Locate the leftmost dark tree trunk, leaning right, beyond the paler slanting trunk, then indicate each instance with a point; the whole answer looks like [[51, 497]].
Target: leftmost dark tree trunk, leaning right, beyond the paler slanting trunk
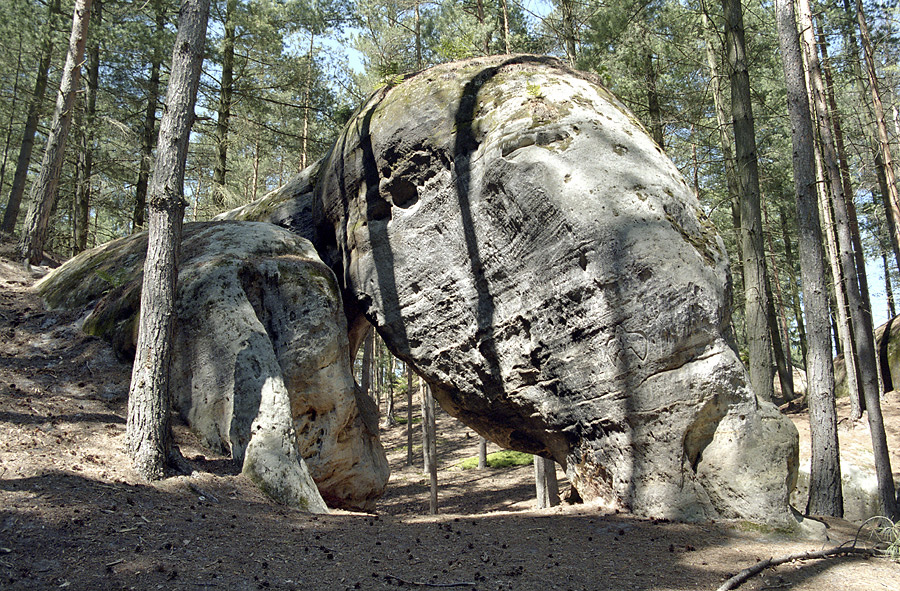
[[31, 122]]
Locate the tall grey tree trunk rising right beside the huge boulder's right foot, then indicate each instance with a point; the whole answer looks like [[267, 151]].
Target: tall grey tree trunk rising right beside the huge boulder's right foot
[[825, 495]]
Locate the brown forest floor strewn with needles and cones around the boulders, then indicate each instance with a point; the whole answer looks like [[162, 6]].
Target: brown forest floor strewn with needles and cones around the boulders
[[73, 514]]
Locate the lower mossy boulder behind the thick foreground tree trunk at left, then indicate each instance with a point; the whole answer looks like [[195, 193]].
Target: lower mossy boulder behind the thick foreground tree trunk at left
[[261, 366]]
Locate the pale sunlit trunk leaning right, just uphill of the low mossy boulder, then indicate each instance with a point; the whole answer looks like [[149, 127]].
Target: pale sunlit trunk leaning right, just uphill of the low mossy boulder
[[43, 199]]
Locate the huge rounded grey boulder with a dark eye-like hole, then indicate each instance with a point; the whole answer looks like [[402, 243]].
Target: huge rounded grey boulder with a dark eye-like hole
[[517, 237]]
